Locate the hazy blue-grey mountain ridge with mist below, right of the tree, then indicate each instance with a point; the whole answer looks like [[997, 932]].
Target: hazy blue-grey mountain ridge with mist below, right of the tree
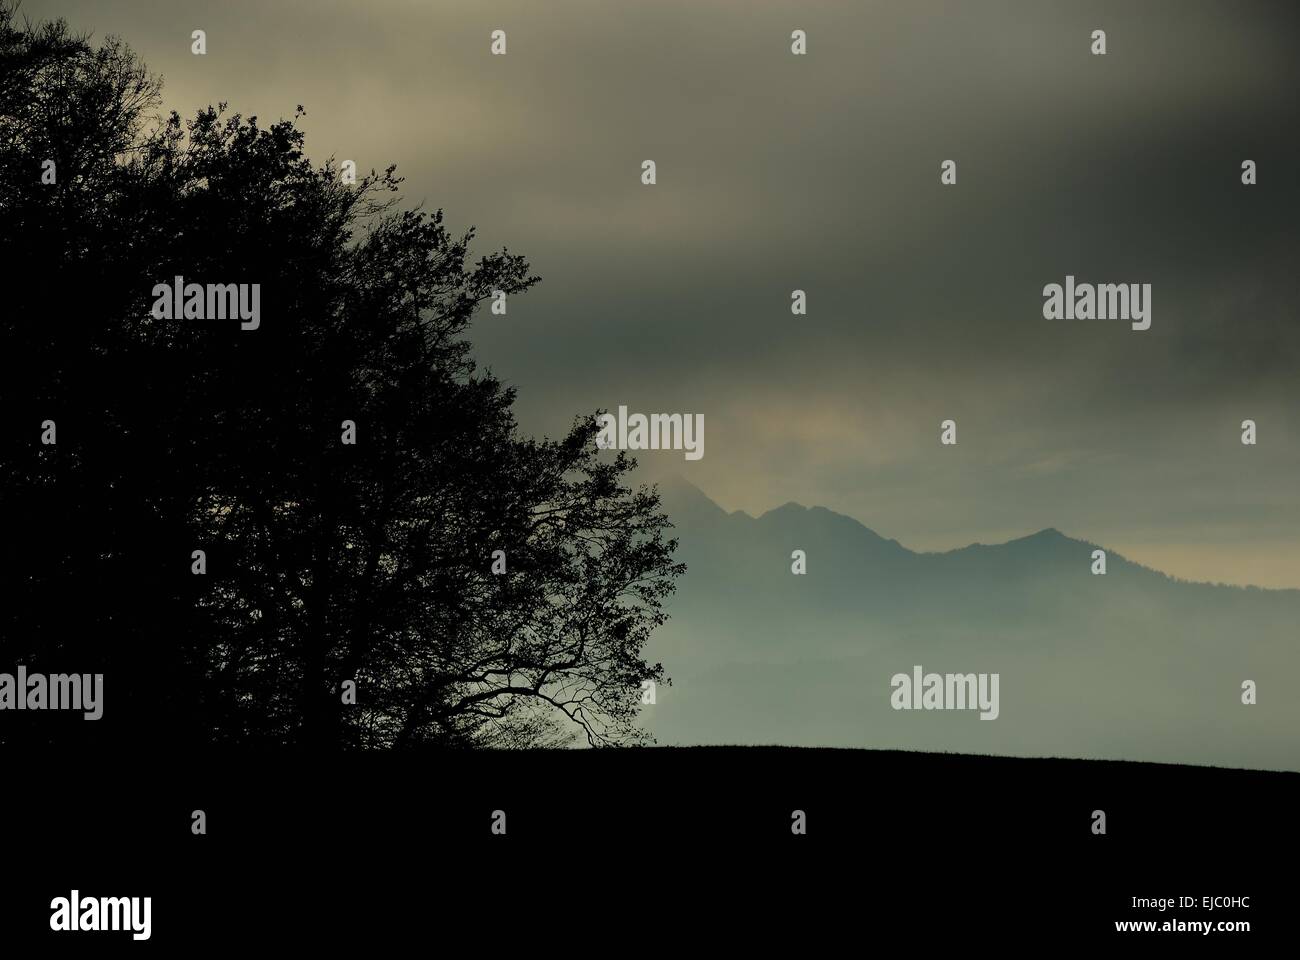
[[1133, 665]]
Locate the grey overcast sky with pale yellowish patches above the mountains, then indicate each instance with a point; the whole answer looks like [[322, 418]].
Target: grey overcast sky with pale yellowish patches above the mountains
[[778, 172]]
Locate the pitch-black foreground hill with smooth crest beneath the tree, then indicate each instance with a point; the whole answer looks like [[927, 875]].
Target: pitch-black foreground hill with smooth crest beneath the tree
[[371, 849]]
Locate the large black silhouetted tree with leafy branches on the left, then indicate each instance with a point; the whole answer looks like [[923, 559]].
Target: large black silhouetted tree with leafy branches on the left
[[327, 563]]
